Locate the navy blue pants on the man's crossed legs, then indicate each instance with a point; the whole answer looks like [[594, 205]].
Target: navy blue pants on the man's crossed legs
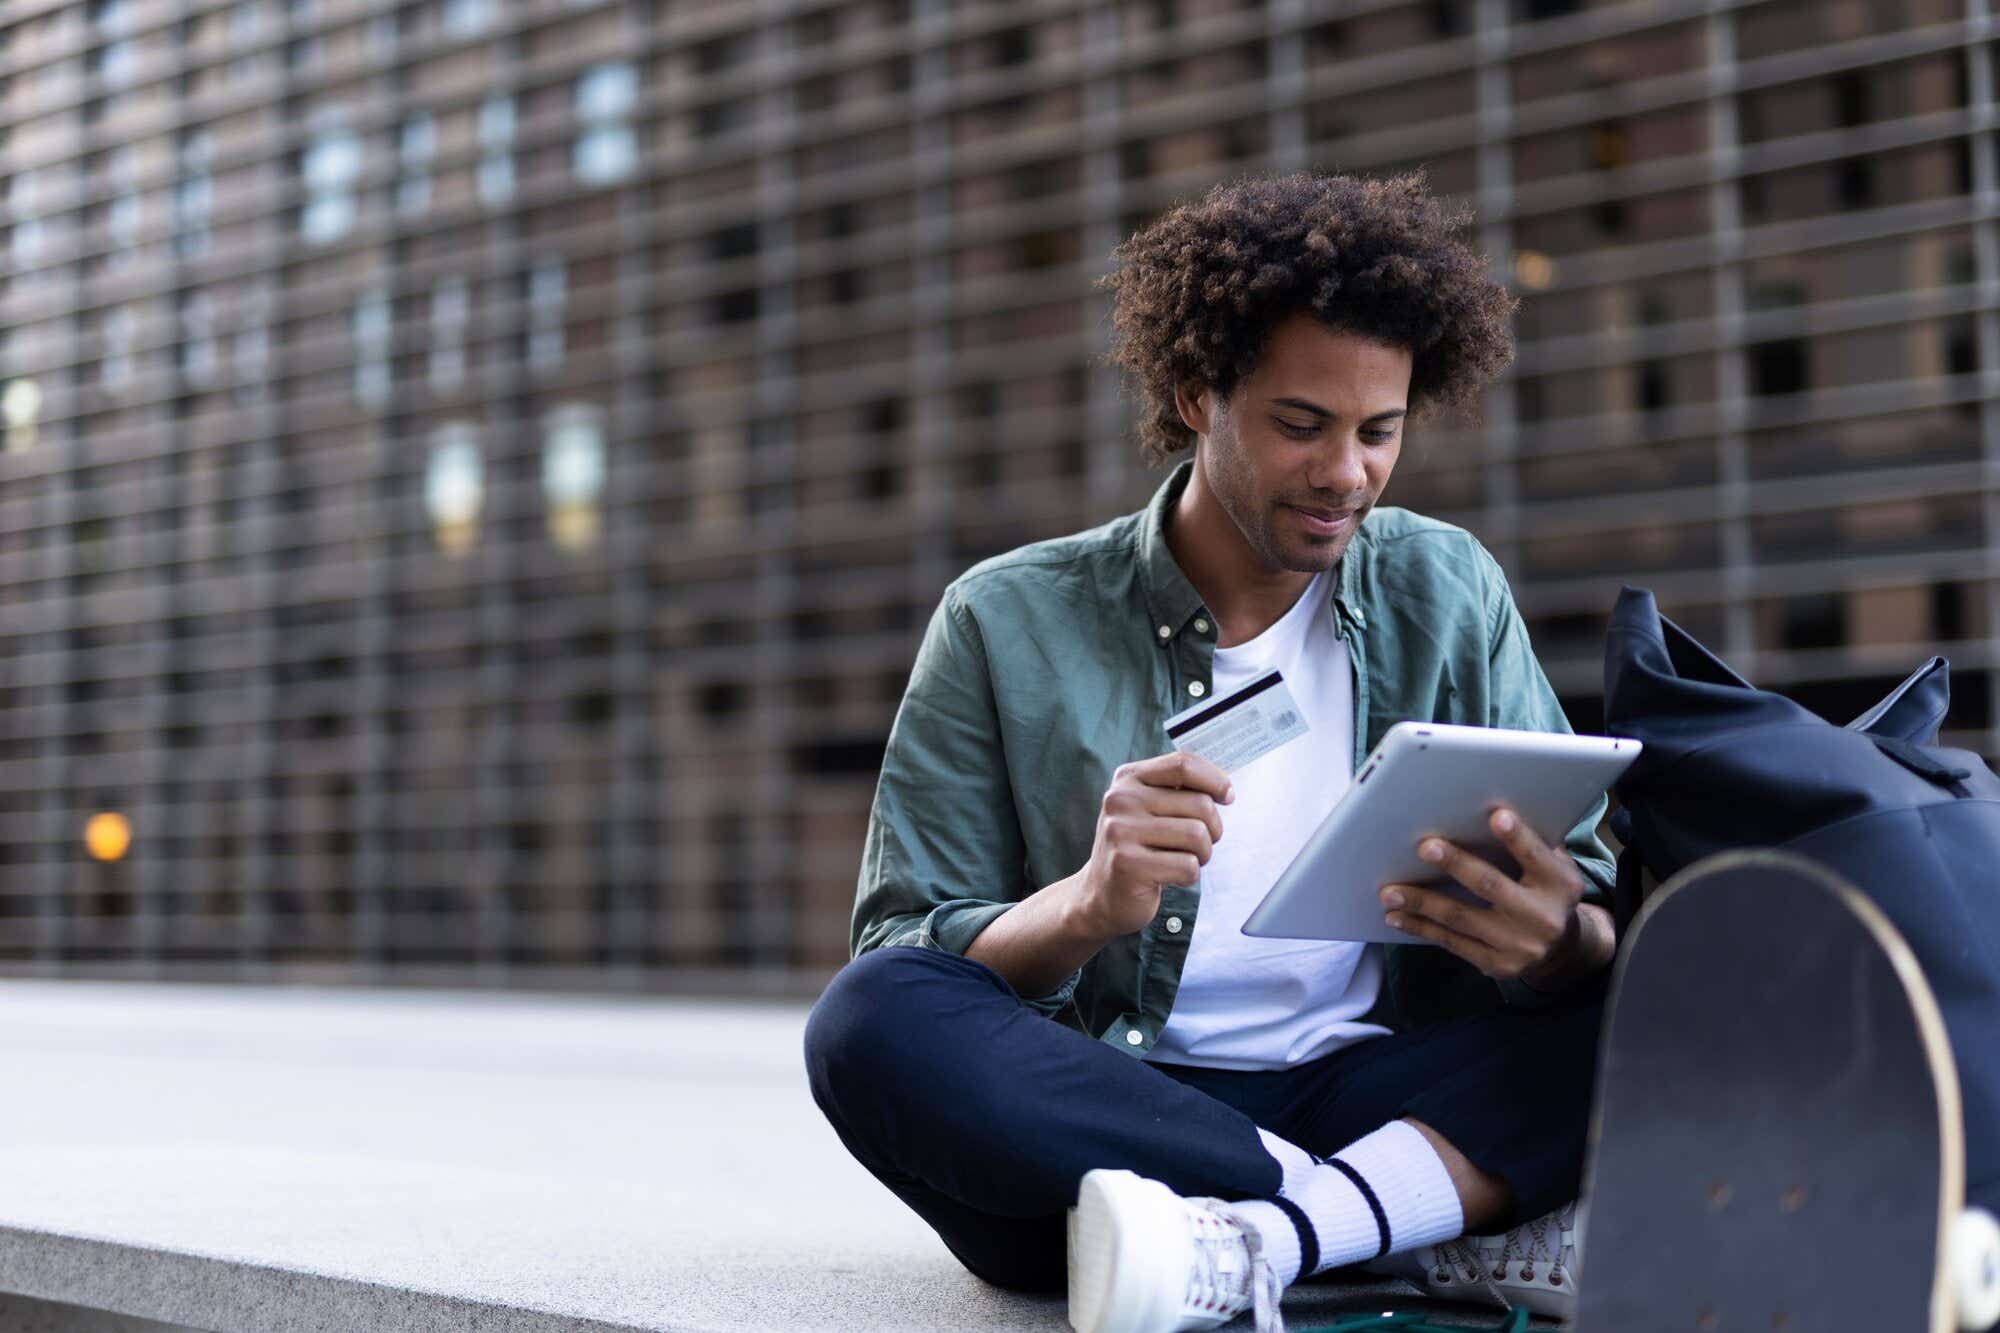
[[985, 1116]]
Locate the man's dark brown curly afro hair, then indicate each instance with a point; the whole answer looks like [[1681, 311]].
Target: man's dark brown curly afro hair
[[1199, 291]]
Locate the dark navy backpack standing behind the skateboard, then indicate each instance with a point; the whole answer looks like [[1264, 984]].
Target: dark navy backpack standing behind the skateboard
[[1911, 824]]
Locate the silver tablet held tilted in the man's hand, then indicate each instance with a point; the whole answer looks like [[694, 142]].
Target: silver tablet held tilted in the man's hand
[[1431, 780]]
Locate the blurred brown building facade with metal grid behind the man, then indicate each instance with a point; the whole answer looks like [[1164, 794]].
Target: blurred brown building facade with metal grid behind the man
[[475, 473]]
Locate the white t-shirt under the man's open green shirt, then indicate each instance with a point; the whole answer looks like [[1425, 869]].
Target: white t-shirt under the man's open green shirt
[[1267, 1004]]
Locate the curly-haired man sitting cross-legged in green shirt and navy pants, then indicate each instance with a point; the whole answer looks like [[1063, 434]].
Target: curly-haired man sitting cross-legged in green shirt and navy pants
[[1079, 1066]]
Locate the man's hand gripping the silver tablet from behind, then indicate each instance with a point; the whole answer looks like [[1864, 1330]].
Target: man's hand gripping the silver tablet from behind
[[1533, 930]]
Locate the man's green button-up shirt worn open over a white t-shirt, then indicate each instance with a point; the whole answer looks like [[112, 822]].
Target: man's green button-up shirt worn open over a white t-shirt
[[1047, 668]]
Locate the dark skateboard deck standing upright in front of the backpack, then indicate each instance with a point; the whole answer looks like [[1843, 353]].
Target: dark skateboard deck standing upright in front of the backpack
[[1777, 1140]]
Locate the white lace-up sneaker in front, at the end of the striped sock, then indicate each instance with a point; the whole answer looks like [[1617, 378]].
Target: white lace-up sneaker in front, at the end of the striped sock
[[1143, 1260]]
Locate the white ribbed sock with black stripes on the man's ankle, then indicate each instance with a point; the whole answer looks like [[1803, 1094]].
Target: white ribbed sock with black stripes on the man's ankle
[[1383, 1194]]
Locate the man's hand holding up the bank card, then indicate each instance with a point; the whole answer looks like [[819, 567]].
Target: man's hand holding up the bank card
[[1157, 826]]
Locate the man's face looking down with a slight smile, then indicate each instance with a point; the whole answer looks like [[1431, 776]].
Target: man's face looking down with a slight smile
[[1303, 449]]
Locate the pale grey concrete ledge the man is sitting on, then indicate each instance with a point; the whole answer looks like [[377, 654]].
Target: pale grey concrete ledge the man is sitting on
[[273, 1160]]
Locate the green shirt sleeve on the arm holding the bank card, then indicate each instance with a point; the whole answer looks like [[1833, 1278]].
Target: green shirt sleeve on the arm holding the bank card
[[945, 852]]
